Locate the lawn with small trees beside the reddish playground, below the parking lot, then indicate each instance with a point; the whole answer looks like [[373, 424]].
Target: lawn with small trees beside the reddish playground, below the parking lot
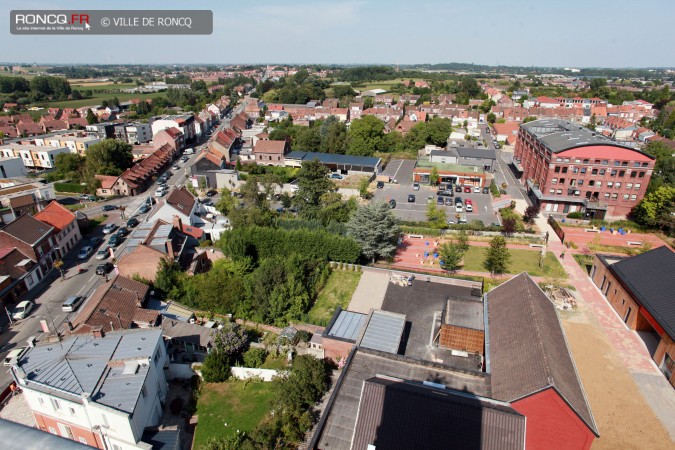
[[521, 261]]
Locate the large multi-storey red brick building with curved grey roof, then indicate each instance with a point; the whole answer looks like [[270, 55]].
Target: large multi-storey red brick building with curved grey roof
[[569, 168]]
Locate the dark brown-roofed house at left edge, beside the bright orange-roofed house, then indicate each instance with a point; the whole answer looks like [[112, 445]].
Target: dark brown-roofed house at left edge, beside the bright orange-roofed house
[[34, 239]]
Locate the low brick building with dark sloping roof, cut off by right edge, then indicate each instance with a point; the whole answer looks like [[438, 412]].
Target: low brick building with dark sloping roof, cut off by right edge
[[640, 290]]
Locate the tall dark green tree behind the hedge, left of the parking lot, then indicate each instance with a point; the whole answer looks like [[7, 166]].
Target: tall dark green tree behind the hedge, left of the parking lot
[[313, 182]]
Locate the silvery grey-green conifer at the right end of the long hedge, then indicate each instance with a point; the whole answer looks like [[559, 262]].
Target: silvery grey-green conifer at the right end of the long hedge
[[375, 229]]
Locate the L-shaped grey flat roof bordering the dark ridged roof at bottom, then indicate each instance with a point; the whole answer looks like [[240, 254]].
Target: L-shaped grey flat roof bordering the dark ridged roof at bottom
[[337, 426]]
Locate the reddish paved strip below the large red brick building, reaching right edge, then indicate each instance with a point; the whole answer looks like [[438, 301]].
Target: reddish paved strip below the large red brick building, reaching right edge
[[610, 236]]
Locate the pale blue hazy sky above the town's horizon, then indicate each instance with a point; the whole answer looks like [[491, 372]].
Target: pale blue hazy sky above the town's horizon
[[547, 33]]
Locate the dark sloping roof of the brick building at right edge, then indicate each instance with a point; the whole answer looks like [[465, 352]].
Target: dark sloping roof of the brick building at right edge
[[650, 278]]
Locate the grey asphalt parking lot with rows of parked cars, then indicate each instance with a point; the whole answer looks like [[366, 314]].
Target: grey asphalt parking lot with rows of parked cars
[[417, 211]]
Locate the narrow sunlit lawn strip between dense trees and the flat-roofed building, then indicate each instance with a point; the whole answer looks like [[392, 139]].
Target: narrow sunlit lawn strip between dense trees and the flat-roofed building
[[337, 292]]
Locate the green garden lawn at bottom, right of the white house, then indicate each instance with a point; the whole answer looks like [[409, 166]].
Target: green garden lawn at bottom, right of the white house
[[239, 405]]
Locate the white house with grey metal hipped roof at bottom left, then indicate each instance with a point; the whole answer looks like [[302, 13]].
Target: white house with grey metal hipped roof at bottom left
[[101, 389]]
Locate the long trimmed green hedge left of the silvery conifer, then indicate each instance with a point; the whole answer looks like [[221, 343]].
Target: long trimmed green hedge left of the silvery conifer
[[264, 243]]
